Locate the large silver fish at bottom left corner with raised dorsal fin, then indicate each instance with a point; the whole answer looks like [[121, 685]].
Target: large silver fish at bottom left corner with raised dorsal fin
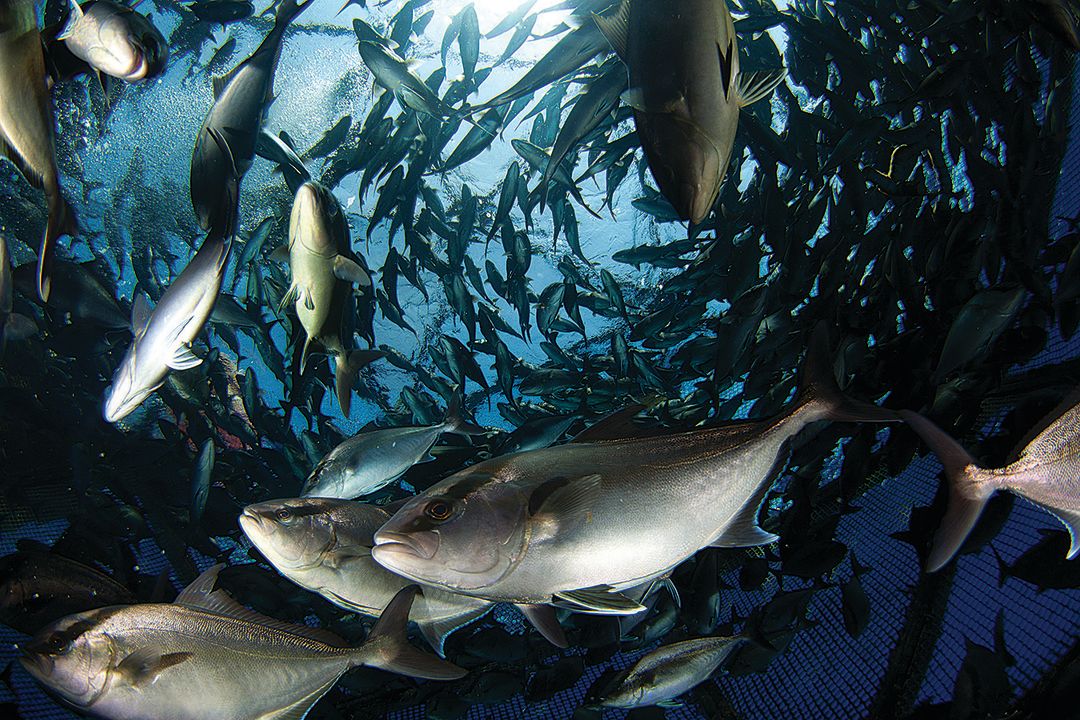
[[208, 658]]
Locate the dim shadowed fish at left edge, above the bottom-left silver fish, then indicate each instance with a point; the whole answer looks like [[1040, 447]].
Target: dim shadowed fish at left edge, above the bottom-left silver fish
[[39, 588]]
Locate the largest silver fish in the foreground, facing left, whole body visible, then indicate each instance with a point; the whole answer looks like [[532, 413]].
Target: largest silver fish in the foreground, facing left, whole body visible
[[578, 523]]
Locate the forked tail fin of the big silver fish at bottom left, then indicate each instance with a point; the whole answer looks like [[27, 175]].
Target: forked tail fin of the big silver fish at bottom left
[[388, 649]]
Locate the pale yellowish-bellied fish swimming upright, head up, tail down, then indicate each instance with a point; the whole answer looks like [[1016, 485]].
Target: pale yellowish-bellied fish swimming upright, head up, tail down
[[323, 270]]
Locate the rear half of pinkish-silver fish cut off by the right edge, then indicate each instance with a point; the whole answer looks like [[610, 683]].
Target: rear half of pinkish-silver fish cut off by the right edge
[[1047, 473]]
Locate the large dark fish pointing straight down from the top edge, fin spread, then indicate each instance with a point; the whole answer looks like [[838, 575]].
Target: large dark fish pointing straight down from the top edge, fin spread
[[686, 90]]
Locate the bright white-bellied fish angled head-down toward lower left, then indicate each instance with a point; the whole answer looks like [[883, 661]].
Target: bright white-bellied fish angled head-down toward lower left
[[164, 336]]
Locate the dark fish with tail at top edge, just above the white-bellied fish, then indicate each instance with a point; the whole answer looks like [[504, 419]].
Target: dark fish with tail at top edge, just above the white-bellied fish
[[225, 147]]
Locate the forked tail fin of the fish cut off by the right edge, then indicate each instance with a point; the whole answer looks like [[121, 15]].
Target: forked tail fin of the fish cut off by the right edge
[[968, 491]]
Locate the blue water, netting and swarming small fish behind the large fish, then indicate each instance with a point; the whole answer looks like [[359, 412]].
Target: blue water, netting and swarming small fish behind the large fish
[[913, 184]]
